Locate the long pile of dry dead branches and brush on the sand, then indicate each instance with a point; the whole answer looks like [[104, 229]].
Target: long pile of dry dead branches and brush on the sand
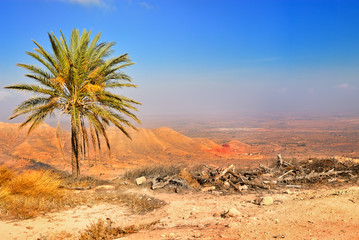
[[283, 175]]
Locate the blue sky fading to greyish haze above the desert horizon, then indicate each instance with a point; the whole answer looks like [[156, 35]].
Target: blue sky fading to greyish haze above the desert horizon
[[198, 57]]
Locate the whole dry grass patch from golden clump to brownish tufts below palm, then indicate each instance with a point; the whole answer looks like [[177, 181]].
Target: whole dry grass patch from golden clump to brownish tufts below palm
[[28, 194]]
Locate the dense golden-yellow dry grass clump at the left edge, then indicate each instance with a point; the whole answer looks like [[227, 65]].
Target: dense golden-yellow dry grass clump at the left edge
[[29, 193]]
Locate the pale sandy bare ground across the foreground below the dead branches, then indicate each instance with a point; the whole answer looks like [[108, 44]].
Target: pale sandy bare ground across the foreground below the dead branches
[[299, 214]]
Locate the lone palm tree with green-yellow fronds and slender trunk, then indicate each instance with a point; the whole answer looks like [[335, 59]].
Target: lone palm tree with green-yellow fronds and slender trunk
[[76, 80]]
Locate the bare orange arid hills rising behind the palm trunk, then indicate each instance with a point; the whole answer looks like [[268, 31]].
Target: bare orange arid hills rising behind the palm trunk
[[160, 145]]
